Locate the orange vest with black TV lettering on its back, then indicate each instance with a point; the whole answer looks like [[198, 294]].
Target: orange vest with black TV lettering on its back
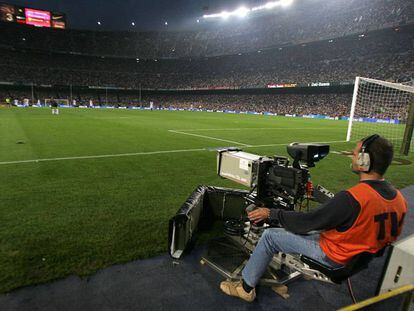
[[378, 224]]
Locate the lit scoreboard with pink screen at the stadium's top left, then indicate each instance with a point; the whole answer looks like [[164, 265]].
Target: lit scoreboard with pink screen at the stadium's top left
[[39, 18]]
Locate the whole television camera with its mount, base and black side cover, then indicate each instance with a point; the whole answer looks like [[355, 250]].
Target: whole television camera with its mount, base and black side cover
[[272, 182]]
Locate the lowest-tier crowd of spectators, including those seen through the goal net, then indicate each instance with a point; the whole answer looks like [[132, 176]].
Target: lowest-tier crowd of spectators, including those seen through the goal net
[[334, 105]]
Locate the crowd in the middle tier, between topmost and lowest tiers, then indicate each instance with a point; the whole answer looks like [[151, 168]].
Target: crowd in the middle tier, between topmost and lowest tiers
[[386, 55]]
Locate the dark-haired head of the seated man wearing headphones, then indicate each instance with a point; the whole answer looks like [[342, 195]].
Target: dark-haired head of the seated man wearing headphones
[[380, 152]]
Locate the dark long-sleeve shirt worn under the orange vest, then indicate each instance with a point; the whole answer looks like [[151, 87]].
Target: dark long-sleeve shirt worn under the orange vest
[[340, 212]]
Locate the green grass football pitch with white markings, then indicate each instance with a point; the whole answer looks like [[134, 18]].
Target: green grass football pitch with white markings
[[90, 188]]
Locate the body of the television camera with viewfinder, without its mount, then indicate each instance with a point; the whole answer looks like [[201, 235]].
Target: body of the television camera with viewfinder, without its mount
[[272, 181]]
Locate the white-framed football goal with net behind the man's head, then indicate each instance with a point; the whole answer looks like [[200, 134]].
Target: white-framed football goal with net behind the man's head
[[384, 108]]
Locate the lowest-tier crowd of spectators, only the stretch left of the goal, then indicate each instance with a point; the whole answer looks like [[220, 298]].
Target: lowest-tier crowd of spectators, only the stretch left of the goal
[[334, 105]]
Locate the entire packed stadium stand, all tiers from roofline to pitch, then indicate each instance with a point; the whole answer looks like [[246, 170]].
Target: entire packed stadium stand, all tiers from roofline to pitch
[[308, 45]]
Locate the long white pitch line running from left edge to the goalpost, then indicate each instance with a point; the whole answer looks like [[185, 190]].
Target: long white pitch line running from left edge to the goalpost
[[143, 153]]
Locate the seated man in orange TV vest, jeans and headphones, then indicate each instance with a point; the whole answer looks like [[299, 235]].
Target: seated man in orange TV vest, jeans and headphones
[[364, 218]]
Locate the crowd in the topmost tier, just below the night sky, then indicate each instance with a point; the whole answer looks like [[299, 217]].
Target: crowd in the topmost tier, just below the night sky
[[304, 21]]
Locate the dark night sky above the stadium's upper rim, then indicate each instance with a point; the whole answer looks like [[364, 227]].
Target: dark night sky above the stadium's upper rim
[[147, 15]]
